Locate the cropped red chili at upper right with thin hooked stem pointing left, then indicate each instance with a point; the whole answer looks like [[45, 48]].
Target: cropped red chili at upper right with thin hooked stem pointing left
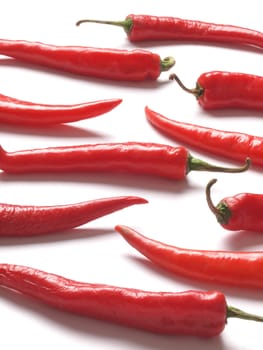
[[218, 90]]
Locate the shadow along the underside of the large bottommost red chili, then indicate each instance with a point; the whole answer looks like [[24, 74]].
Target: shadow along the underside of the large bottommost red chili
[[109, 332]]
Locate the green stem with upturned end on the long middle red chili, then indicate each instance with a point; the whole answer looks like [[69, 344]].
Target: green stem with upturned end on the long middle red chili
[[200, 165]]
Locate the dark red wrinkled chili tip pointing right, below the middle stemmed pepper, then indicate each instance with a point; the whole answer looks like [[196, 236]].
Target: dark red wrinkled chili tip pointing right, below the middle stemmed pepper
[[29, 220]]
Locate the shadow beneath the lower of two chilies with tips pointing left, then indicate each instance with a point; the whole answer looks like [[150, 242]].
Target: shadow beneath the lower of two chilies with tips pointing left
[[227, 290]]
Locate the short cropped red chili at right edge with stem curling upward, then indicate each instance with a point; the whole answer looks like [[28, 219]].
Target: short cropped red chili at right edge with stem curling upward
[[240, 212]]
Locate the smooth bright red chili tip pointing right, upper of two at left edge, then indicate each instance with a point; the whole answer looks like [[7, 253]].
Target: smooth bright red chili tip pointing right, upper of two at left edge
[[17, 112]]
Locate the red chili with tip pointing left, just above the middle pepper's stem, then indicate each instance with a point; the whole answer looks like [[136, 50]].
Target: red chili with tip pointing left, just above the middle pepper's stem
[[229, 144]]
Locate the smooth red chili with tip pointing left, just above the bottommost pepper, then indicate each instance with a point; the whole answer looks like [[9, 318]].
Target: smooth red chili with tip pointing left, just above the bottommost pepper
[[237, 269]]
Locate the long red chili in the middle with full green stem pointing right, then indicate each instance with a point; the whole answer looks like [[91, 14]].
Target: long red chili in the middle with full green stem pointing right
[[130, 157]]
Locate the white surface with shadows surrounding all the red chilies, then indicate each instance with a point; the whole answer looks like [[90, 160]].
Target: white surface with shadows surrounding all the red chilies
[[177, 212]]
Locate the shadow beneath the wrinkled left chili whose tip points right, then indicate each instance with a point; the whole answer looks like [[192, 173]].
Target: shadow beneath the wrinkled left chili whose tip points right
[[63, 236]]
